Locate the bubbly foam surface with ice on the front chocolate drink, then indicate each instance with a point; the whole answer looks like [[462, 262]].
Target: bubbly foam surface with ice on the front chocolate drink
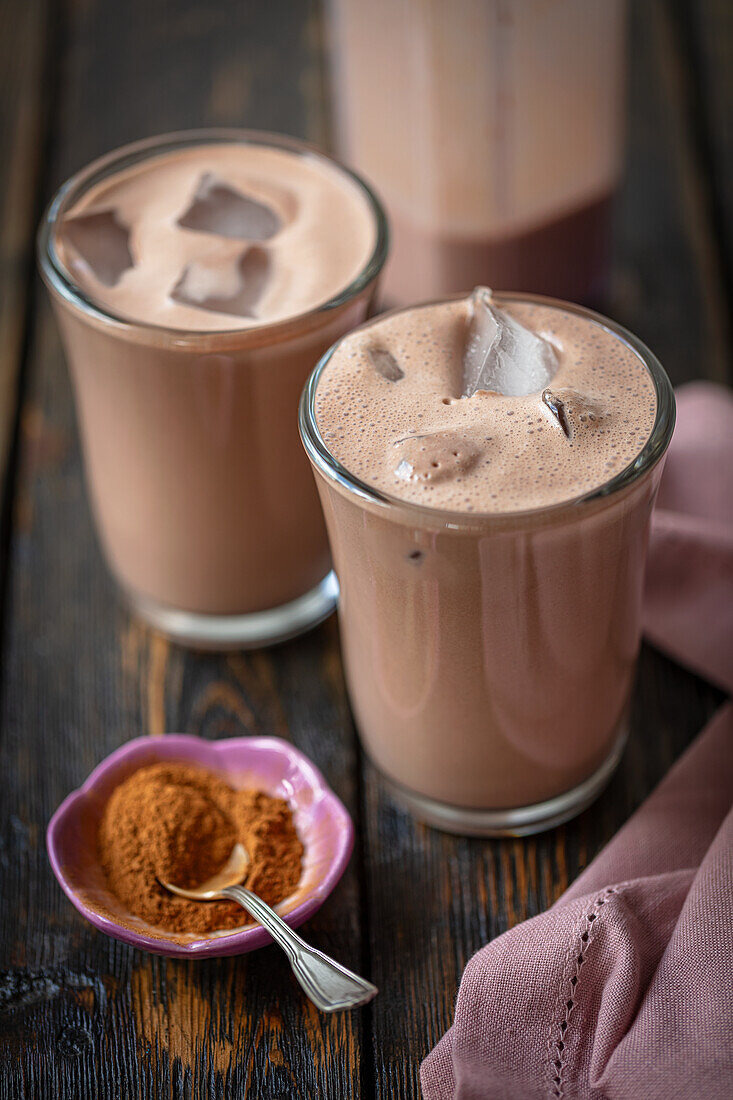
[[497, 409]]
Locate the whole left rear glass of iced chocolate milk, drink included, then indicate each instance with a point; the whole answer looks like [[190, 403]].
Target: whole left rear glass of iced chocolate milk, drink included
[[198, 279]]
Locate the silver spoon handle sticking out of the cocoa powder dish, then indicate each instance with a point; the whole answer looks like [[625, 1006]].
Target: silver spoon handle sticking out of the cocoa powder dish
[[329, 984]]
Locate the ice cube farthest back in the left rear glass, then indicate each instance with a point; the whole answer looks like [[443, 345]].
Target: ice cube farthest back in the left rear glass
[[220, 210]]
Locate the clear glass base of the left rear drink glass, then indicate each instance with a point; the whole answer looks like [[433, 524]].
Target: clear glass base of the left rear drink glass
[[242, 632]]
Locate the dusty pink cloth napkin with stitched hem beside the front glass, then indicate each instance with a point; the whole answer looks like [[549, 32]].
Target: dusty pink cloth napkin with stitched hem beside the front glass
[[623, 991]]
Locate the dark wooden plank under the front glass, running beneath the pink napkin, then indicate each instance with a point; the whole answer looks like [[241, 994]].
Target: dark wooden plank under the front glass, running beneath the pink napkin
[[434, 900]]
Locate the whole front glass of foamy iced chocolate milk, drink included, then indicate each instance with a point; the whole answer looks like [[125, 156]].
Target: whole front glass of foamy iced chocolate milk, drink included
[[488, 468]]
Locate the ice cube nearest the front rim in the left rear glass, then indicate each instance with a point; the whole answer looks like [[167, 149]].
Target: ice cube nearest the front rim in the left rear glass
[[225, 289]]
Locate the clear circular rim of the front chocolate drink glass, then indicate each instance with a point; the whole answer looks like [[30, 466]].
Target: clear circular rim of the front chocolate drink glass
[[648, 458]]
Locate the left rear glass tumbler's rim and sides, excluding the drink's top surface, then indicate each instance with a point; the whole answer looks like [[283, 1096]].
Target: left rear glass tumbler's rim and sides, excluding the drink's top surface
[[203, 499]]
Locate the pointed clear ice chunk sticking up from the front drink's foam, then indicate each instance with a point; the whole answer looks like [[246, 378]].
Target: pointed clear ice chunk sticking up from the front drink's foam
[[501, 356]]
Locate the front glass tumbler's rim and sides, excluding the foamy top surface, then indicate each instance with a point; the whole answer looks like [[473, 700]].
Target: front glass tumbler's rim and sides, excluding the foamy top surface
[[490, 657]]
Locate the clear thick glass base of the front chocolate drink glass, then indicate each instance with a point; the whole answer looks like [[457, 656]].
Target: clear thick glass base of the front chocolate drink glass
[[521, 821]]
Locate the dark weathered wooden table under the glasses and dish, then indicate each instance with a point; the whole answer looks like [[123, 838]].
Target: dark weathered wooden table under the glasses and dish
[[82, 1016]]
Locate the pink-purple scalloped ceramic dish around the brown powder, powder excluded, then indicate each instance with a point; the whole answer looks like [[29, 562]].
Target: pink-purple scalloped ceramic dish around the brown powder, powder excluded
[[267, 764]]
